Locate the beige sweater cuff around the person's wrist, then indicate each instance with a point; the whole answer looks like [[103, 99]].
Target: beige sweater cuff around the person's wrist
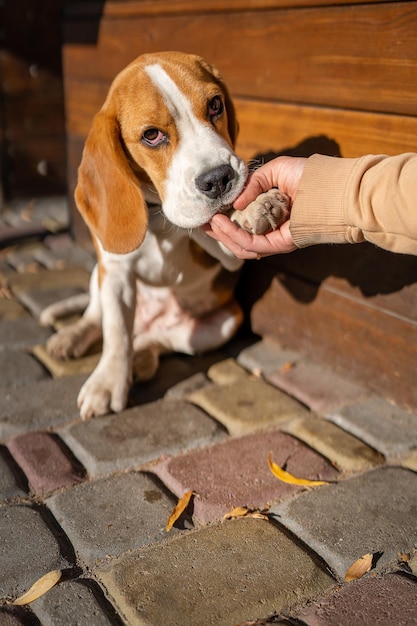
[[318, 213]]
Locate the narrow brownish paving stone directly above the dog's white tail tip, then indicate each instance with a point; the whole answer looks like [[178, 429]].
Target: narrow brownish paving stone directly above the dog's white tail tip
[[49, 279]]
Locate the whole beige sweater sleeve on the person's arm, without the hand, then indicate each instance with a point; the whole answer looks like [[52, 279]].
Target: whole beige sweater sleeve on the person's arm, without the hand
[[373, 198]]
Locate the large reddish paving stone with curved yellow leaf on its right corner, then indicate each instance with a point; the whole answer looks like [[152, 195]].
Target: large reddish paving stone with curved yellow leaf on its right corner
[[236, 473]]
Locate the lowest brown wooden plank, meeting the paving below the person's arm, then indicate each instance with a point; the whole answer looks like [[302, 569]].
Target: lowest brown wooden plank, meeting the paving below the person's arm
[[376, 349]]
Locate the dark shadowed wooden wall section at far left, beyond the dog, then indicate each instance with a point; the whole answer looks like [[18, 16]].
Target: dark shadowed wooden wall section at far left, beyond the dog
[[32, 123]]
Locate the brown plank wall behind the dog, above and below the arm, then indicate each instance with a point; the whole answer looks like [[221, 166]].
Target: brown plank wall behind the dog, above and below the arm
[[307, 76]]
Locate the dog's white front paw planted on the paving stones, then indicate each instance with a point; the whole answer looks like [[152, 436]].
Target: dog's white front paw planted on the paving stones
[[103, 393]]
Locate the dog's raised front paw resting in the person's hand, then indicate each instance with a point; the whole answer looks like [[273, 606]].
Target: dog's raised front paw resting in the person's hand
[[266, 213]]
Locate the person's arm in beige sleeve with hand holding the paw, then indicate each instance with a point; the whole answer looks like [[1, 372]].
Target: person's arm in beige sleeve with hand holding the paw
[[333, 200]]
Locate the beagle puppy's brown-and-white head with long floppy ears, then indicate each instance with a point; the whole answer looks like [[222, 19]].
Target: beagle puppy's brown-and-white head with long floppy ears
[[168, 123]]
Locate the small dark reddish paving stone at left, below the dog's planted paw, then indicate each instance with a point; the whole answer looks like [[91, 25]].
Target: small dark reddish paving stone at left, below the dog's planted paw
[[44, 461]]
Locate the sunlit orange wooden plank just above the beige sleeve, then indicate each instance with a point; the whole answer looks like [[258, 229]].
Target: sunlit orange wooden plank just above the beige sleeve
[[302, 130]]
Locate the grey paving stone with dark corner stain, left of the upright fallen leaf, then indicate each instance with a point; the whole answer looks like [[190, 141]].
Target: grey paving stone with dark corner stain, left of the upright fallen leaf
[[109, 516]]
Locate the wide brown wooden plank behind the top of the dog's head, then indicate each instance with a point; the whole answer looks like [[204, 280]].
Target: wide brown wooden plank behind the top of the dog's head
[[349, 56]]
